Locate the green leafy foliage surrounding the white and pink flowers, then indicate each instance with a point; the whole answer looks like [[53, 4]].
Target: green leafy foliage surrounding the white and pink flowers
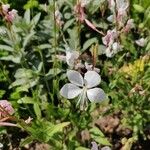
[[31, 76]]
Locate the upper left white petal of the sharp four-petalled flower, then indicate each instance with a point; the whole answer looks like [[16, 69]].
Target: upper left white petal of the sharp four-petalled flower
[[75, 77]]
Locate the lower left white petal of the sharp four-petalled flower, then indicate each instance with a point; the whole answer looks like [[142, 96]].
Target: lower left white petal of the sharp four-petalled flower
[[70, 91]]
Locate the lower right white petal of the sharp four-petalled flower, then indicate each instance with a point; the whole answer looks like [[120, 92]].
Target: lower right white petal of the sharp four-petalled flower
[[96, 95]]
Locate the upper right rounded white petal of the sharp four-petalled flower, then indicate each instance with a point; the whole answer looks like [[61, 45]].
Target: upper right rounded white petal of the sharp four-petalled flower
[[92, 79]]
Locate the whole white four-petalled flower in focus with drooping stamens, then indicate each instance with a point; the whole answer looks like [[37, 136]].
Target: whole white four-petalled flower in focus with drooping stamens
[[83, 88]]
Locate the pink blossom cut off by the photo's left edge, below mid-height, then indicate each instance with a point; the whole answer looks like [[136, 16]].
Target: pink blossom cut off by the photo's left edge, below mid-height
[[7, 107]]
